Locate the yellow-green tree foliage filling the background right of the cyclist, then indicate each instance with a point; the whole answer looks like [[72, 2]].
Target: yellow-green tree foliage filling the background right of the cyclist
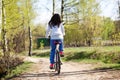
[[84, 24]]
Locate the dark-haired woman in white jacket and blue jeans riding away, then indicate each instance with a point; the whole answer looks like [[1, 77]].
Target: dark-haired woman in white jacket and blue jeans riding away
[[56, 31]]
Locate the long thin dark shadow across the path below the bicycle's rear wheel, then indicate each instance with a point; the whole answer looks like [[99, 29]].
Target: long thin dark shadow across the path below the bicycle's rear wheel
[[53, 73]]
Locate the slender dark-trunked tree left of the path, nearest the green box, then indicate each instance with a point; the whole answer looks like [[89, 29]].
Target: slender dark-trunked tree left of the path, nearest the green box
[[28, 14]]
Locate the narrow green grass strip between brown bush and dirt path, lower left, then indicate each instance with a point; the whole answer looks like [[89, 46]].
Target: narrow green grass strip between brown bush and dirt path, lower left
[[18, 70]]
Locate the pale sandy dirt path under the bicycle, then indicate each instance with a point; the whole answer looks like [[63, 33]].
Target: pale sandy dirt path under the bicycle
[[70, 71]]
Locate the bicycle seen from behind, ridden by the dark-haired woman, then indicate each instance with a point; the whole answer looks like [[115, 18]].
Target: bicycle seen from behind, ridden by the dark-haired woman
[[57, 64]]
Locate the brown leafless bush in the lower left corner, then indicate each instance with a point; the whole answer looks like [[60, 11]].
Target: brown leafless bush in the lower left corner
[[6, 63]]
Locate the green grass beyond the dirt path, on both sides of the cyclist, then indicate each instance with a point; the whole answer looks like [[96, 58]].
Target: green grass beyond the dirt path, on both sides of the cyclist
[[107, 56]]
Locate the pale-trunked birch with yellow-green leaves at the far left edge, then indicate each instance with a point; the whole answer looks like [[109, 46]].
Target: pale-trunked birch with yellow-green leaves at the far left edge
[[9, 21]]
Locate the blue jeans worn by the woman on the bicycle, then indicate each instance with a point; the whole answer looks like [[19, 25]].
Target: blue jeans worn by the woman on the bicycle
[[53, 47]]
